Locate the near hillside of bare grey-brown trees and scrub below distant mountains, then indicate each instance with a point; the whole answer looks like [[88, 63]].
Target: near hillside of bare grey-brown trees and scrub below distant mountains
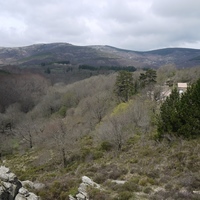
[[108, 127]]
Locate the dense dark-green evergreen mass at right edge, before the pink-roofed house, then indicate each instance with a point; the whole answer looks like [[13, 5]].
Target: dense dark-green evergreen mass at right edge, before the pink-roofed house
[[180, 113]]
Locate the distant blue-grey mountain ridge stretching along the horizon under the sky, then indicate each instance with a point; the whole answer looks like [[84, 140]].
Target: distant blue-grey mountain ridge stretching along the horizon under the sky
[[97, 55]]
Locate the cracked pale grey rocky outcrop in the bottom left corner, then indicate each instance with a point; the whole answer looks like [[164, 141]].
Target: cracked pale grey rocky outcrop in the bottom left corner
[[11, 188]]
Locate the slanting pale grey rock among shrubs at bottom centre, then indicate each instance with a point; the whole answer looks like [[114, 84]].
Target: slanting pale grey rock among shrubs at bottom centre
[[82, 190]]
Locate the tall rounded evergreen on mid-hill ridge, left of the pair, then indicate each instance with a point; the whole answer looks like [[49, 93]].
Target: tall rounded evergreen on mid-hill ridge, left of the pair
[[124, 86]]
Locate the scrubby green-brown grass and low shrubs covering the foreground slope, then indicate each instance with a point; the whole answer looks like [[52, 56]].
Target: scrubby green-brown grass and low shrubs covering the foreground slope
[[145, 166]]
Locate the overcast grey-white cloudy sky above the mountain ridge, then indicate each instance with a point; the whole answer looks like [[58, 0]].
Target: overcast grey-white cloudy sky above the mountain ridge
[[139, 25]]
